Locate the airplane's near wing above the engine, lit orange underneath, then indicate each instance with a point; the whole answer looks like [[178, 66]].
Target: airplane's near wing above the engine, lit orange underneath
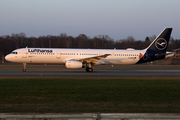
[[93, 59]]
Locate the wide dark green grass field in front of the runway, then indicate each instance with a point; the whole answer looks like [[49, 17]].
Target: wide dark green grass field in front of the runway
[[90, 94]]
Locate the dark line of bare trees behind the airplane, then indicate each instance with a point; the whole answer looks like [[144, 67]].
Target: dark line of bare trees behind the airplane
[[15, 41]]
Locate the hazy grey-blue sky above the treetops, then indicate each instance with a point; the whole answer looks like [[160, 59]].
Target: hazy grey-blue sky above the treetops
[[116, 18]]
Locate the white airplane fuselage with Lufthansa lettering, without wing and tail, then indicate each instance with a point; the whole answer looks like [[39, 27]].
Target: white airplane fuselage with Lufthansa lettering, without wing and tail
[[60, 56]]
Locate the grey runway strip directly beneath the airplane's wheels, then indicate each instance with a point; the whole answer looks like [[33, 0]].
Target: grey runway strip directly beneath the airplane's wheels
[[151, 73]]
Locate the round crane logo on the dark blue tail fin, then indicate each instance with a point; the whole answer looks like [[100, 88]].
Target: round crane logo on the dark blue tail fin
[[161, 44]]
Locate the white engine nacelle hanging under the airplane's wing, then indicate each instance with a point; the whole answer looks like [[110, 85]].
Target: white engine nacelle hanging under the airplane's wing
[[73, 64]]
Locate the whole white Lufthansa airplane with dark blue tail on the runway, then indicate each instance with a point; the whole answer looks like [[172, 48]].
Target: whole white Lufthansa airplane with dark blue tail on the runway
[[86, 58]]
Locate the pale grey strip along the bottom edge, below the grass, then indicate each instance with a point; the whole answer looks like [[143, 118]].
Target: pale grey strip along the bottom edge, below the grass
[[96, 116]]
